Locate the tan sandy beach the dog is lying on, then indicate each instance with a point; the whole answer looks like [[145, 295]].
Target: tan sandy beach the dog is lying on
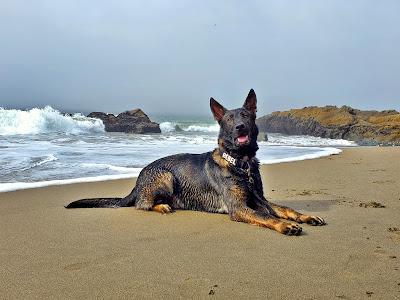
[[50, 252]]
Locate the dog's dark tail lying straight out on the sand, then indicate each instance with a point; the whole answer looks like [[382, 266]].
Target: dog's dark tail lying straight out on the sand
[[104, 202]]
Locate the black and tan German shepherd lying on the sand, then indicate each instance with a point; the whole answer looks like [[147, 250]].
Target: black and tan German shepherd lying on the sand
[[226, 180]]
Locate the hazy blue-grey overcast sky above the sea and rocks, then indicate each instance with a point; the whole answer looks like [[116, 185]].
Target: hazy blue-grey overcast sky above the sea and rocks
[[172, 56]]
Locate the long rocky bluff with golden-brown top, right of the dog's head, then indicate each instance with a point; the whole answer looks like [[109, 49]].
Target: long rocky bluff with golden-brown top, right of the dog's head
[[363, 127]]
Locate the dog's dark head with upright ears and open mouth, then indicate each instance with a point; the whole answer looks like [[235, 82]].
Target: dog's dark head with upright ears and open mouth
[[238, 129]]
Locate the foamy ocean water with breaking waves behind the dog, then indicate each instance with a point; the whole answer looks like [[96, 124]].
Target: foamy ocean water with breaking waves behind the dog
[[42, 147]]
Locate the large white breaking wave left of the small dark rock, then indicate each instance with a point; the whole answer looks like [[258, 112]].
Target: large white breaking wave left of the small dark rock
[[45, 120]]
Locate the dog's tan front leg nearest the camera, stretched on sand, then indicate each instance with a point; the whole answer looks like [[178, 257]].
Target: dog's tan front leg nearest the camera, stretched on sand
[[249, 216]]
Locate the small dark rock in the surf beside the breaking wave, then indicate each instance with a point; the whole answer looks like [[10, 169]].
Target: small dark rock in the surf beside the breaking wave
[[131, 121]]
